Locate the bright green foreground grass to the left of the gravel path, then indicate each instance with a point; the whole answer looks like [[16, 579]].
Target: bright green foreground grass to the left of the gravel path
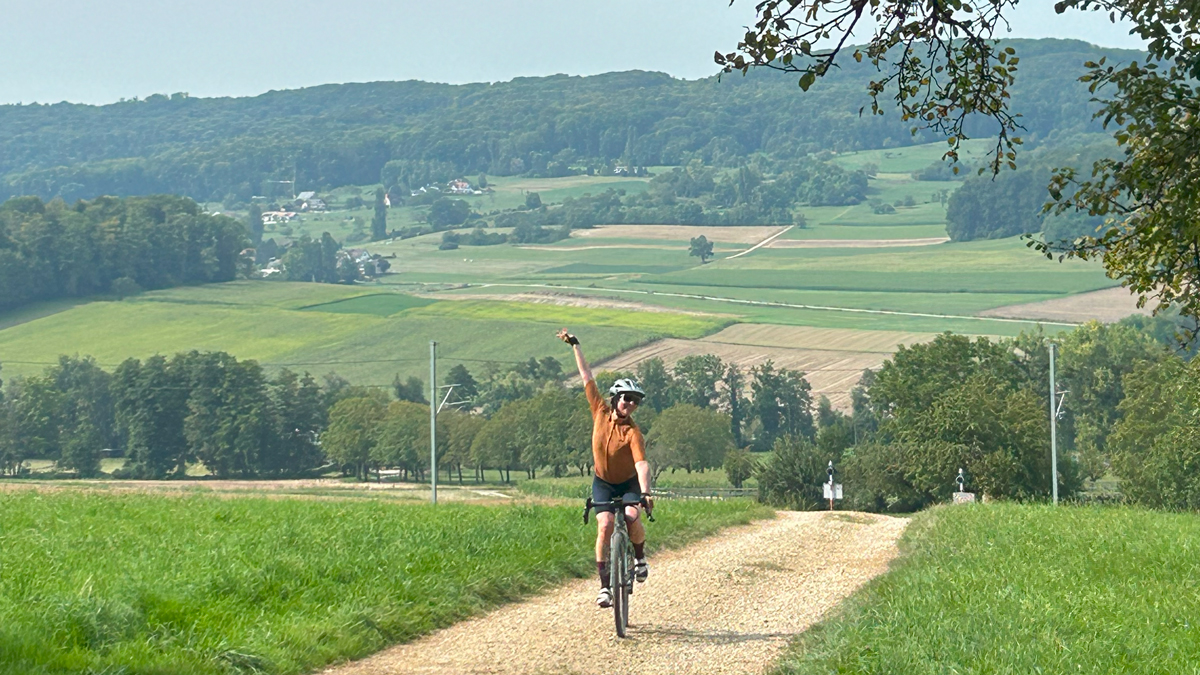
[[149, 584]]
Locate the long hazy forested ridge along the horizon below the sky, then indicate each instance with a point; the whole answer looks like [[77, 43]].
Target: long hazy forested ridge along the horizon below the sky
[[409, 133]]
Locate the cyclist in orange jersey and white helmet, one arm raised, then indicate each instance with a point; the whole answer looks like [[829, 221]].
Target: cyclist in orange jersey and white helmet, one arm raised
[[619, 455]]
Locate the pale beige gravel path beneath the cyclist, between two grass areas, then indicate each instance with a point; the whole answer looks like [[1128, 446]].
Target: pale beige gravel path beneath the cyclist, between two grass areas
[[728, 605]]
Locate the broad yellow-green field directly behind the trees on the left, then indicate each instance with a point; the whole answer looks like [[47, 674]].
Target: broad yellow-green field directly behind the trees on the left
[[363, 339]]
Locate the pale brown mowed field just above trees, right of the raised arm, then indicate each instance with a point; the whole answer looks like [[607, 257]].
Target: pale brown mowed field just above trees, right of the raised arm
[[832, 360]]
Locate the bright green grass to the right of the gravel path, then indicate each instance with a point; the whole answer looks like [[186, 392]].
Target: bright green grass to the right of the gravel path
[[1024, 589]]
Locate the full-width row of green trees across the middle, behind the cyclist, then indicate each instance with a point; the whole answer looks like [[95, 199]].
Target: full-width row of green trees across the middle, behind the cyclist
[[932, 409]]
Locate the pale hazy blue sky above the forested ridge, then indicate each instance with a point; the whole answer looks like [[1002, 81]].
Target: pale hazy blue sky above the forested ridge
[[101, 51]]
